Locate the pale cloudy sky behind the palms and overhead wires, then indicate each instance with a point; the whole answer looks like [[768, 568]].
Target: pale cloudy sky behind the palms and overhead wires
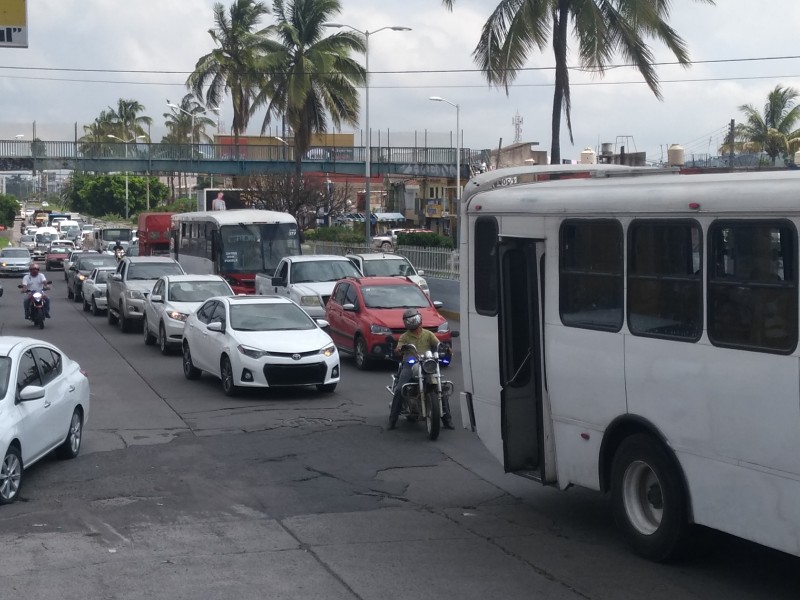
[[83, 55]]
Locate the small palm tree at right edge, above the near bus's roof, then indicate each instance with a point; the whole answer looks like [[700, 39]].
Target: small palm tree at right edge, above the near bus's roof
[[773, 132]]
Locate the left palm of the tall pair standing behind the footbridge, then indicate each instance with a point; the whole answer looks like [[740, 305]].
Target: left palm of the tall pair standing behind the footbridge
[[230, 66]]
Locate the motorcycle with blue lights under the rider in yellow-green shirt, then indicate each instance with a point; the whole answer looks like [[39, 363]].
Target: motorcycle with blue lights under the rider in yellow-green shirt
[[426, 394]]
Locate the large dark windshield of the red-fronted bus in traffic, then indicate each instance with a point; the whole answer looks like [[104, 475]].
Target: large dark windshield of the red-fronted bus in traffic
[[257, 247]]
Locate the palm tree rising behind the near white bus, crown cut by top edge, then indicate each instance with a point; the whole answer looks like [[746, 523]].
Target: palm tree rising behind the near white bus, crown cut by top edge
[[602, 28]]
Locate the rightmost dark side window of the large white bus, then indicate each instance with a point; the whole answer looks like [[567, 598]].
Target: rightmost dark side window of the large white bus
[[752, 285]]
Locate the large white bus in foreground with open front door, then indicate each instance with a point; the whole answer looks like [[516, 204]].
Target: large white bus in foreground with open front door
[[638, 334]]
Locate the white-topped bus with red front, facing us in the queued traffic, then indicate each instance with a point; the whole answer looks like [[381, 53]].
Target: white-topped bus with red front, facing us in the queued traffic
[[235, 244]]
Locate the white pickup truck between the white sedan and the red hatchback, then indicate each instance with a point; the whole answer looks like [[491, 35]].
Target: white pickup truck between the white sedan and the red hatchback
[[308, 280]]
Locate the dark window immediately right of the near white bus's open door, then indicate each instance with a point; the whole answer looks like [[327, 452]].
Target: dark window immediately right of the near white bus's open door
[[590, 276]]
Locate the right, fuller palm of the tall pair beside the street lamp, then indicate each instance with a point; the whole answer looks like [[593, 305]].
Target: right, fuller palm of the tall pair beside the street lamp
[[308, 76]]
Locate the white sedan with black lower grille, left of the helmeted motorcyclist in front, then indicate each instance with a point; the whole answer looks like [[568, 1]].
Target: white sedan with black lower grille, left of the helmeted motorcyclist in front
[[259, 341]]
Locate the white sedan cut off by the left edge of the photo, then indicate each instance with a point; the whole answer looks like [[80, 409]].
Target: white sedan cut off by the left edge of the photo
[[44, 406]]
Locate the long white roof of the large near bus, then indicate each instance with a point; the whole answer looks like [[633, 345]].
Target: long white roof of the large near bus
[[604, 191]]
